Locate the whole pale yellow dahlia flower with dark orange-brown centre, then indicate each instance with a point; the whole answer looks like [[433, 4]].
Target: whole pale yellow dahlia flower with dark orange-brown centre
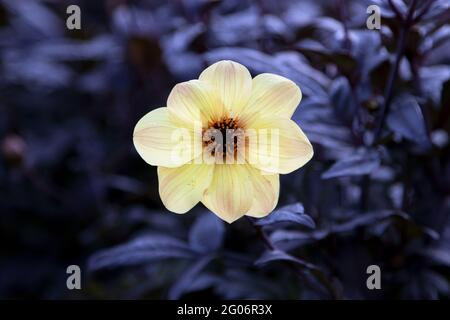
[[223, 140]]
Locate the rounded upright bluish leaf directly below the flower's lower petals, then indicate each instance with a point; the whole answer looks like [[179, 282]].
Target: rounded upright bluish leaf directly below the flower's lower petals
[[207, 233]]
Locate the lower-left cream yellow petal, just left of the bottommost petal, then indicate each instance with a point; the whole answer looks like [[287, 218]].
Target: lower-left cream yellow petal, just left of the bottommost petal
[[182, 188]]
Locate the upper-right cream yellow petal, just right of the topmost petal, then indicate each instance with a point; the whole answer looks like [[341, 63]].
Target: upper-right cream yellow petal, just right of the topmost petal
[[272, 95]]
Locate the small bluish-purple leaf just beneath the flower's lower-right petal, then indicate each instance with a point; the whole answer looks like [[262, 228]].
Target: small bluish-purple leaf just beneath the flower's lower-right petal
[[293, 213]]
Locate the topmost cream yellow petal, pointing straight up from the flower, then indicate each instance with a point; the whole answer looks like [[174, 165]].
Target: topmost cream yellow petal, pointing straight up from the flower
[[233, 83]]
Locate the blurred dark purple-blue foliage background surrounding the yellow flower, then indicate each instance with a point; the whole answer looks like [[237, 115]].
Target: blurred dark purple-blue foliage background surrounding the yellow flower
[[376, 106]]
